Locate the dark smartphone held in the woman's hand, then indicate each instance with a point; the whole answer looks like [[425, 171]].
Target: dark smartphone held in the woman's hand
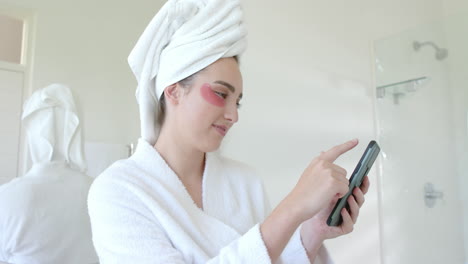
[[361, 170]]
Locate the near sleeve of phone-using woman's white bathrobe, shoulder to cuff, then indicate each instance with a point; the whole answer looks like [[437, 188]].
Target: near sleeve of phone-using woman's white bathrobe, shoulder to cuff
[[125, 232]]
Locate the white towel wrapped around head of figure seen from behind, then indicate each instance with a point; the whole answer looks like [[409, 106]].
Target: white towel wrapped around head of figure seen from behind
[[53, 127]]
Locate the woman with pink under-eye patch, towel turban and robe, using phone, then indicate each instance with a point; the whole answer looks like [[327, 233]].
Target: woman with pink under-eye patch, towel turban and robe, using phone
[[174, 201]]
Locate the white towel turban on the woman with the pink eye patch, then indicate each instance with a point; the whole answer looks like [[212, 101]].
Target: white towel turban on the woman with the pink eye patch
[[183, 38]]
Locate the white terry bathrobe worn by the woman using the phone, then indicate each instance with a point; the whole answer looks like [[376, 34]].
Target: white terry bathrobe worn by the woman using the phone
[[141, 213]]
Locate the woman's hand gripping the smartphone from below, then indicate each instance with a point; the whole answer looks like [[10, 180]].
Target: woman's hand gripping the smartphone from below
[[315, 230]]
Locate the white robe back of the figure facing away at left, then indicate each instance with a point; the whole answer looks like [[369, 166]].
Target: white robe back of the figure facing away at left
[[43, 217]]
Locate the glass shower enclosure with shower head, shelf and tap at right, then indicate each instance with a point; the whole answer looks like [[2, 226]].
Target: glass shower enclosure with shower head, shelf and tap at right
[[422, 115]]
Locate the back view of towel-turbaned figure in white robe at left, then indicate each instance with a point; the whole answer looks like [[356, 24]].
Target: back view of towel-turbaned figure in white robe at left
[[43, 214]]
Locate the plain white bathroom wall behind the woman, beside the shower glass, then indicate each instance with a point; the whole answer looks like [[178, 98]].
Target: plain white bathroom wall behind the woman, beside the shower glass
[[308, 82]]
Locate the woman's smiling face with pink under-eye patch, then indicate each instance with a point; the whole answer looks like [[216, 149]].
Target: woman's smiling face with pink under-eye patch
[[206, 113]]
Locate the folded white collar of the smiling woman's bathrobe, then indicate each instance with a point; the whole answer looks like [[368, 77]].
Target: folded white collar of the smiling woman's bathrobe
[[211, 218]]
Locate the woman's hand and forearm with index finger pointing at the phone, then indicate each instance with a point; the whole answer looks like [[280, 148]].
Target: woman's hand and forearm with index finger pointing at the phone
[[321, 183]]
